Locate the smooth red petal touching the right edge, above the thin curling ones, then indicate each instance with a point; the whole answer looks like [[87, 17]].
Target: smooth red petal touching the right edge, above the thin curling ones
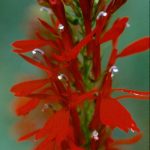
[[138, 46]]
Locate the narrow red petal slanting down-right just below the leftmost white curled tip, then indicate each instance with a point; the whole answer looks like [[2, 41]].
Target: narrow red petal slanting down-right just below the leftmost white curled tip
[[35, 63]]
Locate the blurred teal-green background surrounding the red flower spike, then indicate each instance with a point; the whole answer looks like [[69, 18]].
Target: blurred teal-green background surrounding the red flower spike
[[133, 71]]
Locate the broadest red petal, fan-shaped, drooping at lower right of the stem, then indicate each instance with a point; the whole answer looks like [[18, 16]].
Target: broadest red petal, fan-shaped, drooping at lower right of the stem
[[113, 114]]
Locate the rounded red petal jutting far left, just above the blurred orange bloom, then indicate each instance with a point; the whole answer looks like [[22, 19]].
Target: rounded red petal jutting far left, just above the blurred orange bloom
[[28, 87]]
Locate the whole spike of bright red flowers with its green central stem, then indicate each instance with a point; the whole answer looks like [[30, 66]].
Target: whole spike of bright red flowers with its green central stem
[[78, 109]]
